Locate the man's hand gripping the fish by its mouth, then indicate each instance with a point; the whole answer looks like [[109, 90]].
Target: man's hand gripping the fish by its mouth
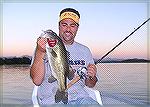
[[41, 44]]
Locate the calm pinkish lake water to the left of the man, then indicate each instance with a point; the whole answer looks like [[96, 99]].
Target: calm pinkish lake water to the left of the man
[[17, 85]]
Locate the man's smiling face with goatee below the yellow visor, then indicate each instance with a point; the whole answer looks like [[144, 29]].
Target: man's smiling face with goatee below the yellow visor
[[67, 31]]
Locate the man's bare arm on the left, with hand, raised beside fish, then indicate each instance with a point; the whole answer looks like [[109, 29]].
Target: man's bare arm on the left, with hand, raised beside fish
[[37, 68]]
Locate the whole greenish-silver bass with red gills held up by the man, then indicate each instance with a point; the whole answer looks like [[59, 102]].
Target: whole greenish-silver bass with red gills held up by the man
[[58, 60]]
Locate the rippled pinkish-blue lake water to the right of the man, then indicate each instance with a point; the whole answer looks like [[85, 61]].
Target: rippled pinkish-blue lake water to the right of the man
[[125, 82]]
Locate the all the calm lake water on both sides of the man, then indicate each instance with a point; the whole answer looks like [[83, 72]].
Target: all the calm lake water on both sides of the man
[[119, 83]]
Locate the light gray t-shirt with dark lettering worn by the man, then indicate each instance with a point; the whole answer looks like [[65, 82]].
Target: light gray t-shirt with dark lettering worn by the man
[[79, 55]]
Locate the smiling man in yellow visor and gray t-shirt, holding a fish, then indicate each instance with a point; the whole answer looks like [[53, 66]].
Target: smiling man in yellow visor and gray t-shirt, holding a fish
[[79, 56]]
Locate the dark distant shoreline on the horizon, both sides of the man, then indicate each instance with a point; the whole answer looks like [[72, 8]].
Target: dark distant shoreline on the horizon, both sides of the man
[[27, 60]]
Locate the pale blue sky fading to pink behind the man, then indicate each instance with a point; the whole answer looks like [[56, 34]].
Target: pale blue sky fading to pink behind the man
[[102, 26]]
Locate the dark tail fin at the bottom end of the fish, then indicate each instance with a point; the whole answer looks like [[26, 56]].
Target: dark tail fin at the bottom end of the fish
[[61, 96]]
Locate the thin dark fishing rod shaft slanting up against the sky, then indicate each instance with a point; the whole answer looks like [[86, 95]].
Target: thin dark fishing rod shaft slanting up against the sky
[[98, 61]]
